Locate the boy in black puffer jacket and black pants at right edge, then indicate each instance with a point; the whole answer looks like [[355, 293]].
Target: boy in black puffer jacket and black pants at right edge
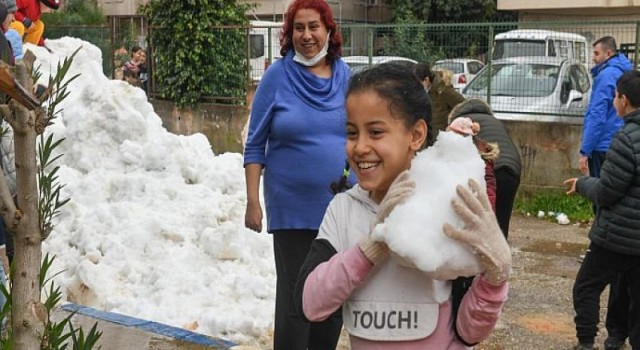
[[615, 239]]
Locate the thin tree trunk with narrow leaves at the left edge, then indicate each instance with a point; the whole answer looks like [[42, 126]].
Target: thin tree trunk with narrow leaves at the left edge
[[38, 194]]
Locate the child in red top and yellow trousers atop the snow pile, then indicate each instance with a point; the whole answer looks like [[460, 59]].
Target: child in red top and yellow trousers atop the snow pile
[[28, 23]]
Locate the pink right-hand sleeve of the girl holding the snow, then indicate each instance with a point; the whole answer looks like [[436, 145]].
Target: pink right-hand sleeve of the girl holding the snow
[[480, 309]]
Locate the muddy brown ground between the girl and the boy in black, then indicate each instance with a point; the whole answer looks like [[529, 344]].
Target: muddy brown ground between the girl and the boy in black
[[539, 312]]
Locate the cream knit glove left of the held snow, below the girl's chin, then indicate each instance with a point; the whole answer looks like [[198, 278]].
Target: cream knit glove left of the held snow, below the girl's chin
[[401, 188]]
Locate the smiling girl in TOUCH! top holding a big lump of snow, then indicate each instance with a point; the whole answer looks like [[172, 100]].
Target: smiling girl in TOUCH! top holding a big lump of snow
[[346, 269]]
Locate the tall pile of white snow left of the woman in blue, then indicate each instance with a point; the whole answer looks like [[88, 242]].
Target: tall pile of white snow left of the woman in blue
[[155, 225]]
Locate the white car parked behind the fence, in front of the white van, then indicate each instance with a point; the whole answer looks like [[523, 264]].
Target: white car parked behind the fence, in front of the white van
[[534, 88]]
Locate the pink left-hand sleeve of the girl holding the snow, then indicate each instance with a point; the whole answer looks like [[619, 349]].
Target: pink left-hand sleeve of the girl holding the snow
[[331, 283]]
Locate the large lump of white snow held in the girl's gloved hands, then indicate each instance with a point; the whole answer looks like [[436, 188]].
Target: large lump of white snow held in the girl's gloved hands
[[413, 230]]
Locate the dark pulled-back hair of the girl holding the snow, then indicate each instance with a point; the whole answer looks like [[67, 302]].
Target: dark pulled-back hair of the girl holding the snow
[[399, 86]]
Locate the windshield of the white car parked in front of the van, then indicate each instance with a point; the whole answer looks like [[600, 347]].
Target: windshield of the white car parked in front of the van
[[519, 80]]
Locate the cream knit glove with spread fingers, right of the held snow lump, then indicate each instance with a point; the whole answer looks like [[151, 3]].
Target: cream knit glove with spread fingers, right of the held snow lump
[[481, 232]]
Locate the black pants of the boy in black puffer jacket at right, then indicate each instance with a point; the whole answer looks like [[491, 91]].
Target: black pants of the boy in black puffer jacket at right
[[600, 268]]
